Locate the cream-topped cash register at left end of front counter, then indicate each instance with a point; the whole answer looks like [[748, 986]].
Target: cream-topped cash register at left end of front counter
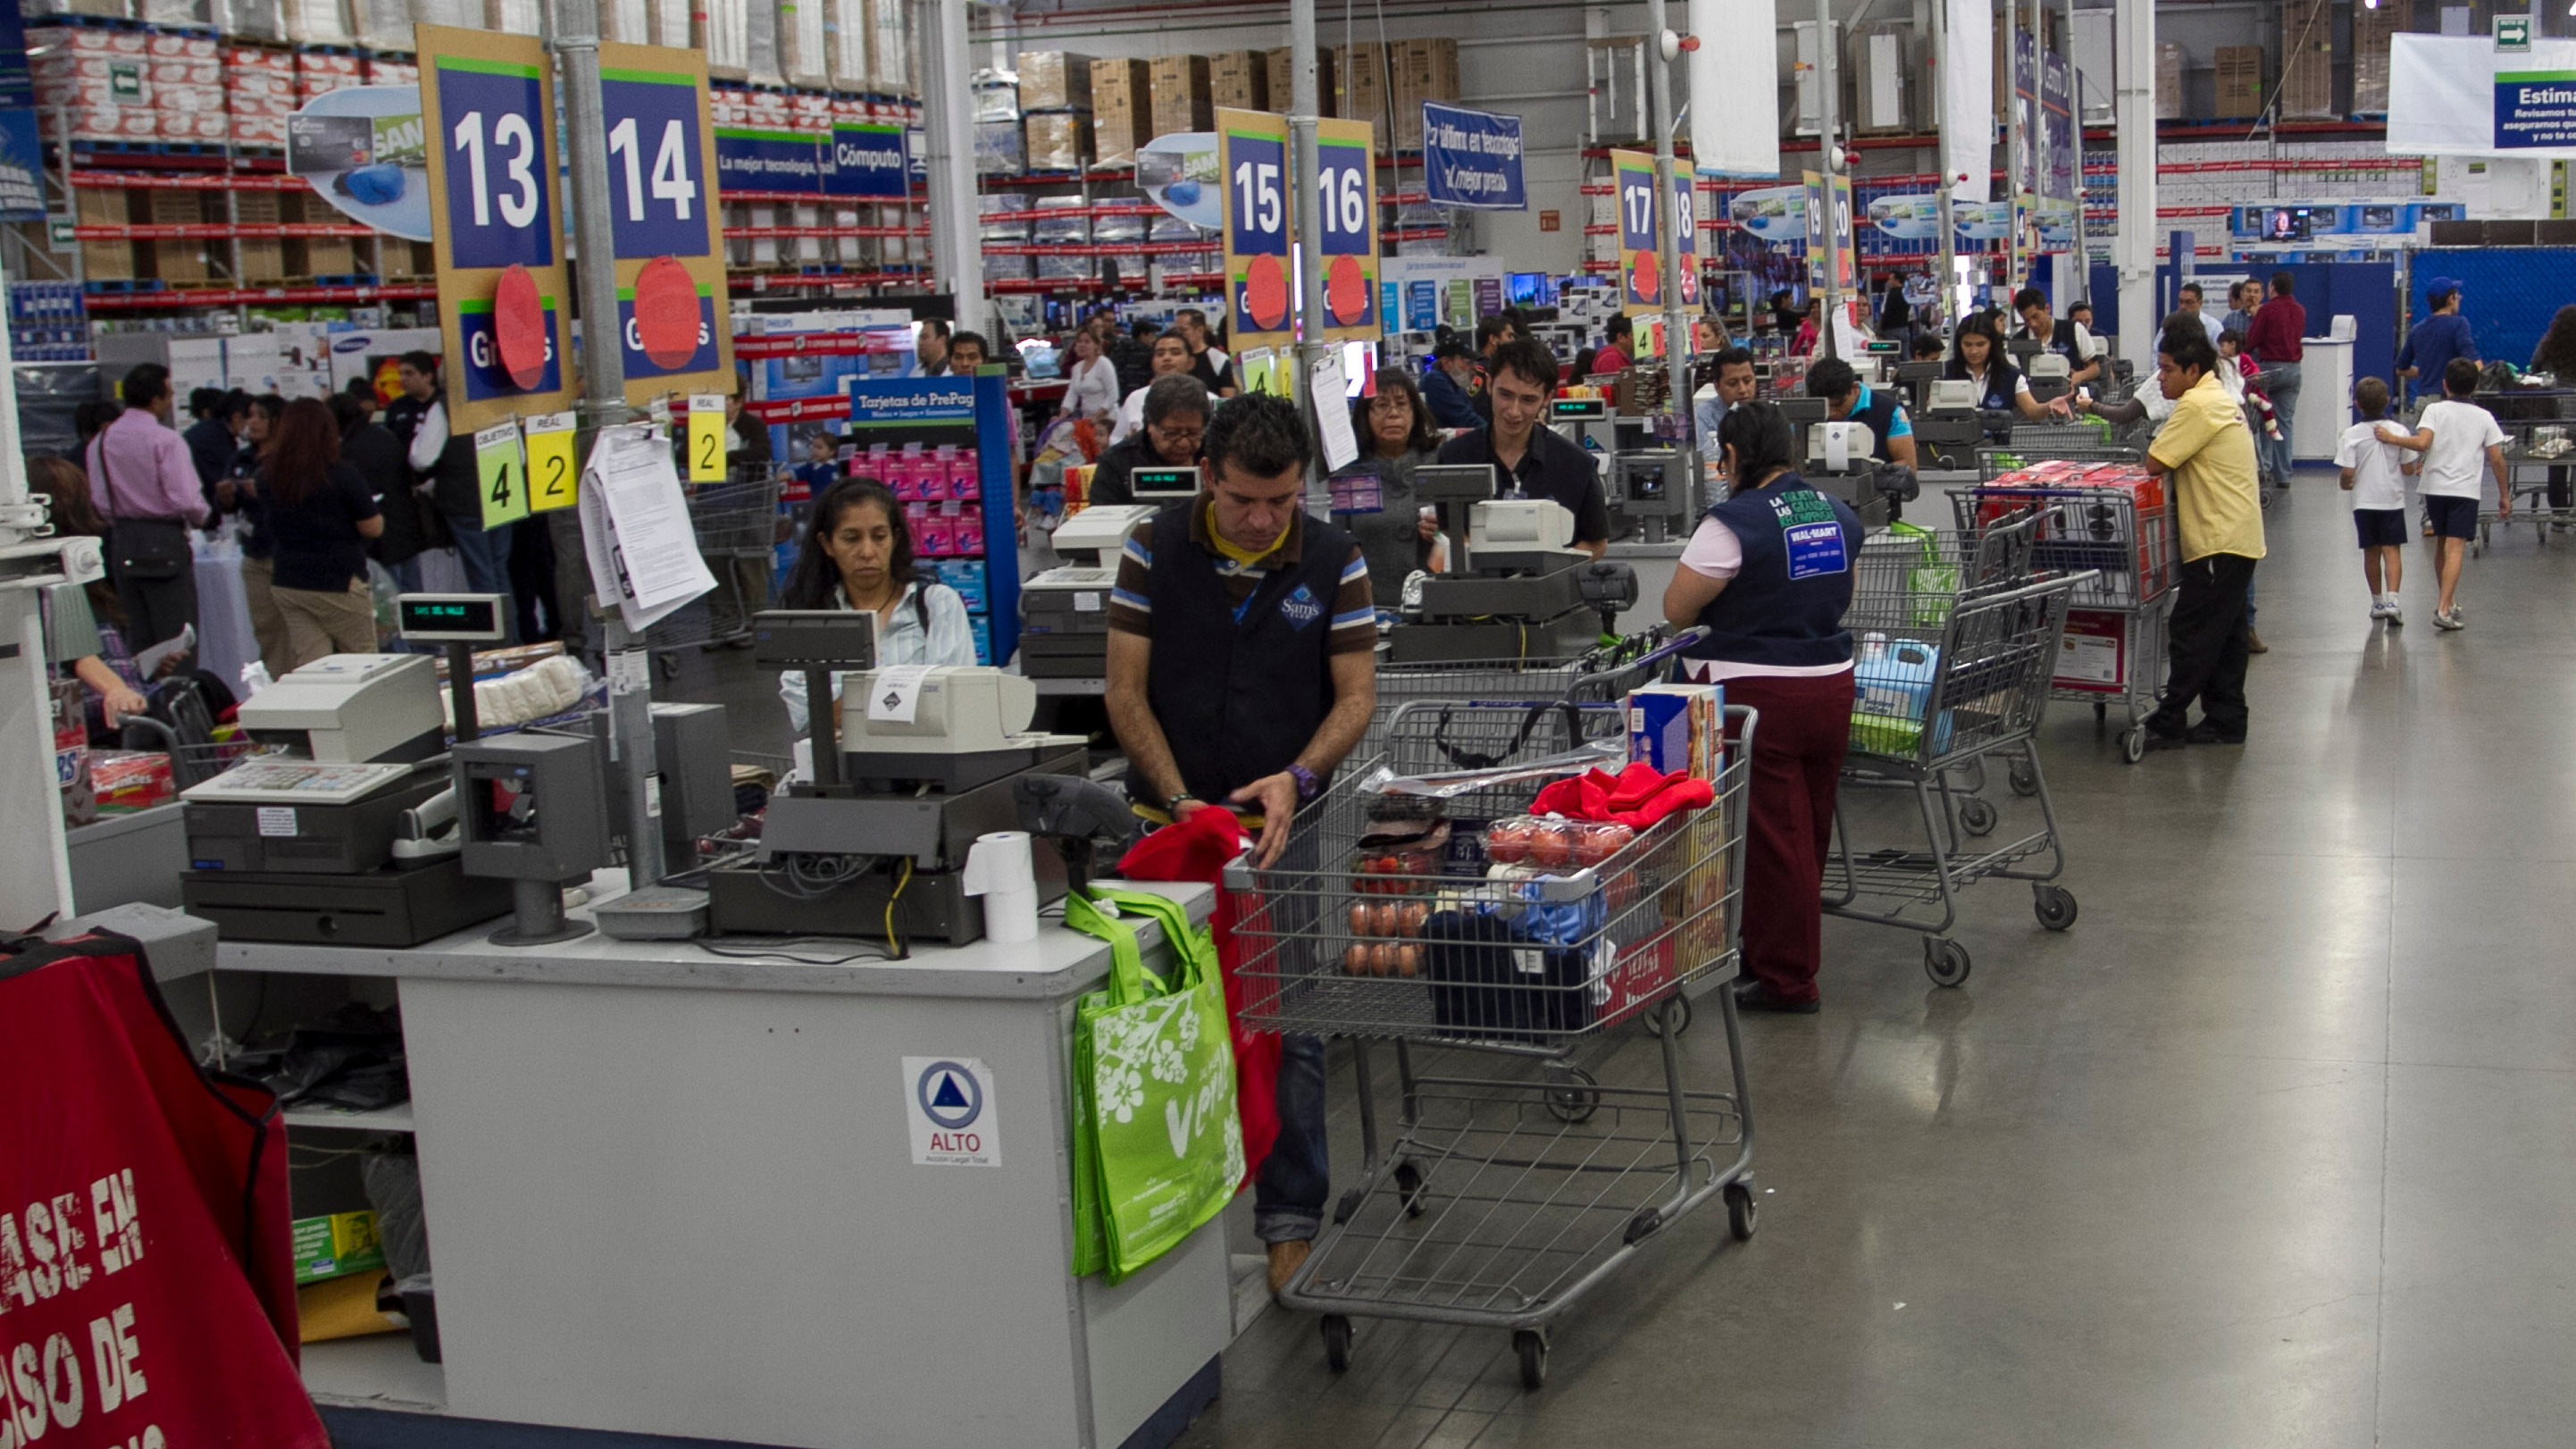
[[344, 839]]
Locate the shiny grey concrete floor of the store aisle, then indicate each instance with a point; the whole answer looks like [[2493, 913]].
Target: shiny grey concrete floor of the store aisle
[[2271, 1149]]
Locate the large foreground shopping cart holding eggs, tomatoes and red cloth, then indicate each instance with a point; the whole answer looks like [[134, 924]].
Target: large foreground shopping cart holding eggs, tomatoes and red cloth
[[1501, 1200]]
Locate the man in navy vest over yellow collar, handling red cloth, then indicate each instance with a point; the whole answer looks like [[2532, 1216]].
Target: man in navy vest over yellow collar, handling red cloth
[[1243, 669]]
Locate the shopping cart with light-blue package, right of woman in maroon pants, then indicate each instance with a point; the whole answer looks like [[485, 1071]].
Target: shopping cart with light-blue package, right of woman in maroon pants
[[1951, 672]]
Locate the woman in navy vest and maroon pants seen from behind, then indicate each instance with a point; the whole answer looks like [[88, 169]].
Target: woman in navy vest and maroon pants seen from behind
[[1771, 576]]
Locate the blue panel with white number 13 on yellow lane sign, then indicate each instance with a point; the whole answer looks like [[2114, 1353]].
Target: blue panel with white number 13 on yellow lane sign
[[496, 161]]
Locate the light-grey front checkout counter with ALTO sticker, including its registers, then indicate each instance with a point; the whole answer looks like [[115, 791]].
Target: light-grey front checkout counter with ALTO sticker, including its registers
[[674, 1164]]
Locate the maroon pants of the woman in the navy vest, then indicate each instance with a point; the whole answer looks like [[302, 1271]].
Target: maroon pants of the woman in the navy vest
[[1799, 739]]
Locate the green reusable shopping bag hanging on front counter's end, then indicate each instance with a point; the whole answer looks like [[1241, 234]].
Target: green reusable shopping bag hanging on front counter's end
[[1158, 1143]]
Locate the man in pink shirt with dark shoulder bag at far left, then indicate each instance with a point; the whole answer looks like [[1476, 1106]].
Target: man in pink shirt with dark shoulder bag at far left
[[148, 491]]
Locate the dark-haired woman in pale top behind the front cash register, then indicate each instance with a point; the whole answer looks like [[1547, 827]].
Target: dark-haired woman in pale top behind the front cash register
[[857, 553]]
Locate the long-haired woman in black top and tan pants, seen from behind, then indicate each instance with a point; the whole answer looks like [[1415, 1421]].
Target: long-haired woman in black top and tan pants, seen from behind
[[321, 517]]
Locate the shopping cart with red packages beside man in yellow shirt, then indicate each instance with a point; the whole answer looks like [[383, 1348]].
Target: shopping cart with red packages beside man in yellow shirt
[[2121, 545]]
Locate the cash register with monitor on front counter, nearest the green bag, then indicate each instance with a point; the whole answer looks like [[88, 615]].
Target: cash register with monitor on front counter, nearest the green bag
[[908, 772]]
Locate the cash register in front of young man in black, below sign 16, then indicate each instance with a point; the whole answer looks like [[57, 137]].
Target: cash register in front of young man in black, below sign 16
[[1516, 589]]
